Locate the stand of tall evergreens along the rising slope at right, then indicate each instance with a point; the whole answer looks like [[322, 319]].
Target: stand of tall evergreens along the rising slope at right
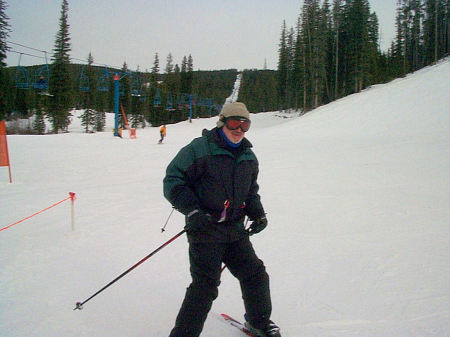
[[334, 49]]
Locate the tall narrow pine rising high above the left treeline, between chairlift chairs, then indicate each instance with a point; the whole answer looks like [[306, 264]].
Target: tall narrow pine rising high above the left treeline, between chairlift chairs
[[60, 85]]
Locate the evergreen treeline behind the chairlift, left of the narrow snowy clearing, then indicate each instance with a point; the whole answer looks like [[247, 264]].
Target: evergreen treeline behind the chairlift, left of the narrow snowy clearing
[[51, 91]]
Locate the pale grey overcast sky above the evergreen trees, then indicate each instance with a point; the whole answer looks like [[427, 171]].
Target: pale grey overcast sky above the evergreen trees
[[219, 34]]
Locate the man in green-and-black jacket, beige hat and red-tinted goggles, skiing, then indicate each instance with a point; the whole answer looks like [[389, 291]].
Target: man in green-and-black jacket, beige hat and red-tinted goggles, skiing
[[213, 182]]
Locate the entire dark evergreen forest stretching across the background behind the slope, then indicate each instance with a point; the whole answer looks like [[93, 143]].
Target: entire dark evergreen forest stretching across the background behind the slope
[[332, 51]]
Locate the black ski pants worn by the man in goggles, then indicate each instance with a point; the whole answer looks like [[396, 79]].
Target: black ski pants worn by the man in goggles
[[206, 260]]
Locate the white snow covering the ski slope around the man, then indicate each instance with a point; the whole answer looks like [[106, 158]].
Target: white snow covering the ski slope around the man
[[358, 202]]
